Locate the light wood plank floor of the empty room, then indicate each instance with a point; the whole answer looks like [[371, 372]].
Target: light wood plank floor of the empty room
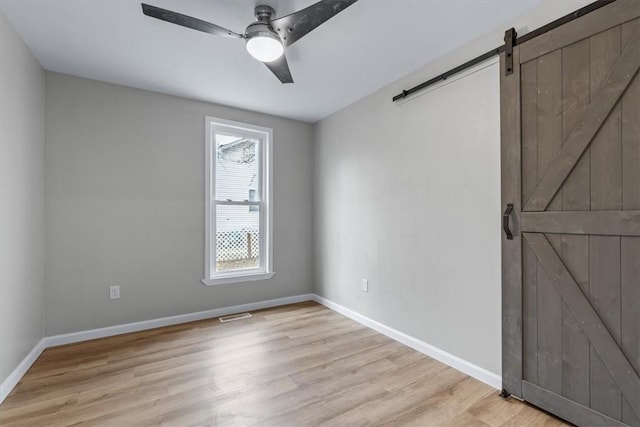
[[291, 366]]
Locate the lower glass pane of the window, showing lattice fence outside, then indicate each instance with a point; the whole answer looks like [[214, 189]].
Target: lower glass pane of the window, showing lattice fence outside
[[237, 238]]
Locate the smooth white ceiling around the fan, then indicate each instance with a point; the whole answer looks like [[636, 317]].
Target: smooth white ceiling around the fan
[[367, 46]]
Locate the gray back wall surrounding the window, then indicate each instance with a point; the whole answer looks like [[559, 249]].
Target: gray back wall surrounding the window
[[125, 206]]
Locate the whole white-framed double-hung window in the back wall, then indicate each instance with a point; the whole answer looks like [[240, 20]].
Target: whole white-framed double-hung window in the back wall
[[238, 203]]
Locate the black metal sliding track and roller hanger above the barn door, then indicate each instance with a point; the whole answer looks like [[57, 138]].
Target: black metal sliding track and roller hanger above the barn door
[[514, 40]]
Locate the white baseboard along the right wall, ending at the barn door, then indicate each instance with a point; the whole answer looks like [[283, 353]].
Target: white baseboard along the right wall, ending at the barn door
[[475, 371]]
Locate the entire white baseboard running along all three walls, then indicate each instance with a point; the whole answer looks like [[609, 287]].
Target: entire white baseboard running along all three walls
[[464, 366]]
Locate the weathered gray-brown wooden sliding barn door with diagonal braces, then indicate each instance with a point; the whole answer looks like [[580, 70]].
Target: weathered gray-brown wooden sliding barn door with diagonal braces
[[571, 170]]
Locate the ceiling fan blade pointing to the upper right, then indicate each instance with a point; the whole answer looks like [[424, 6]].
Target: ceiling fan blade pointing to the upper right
[[297, 25]]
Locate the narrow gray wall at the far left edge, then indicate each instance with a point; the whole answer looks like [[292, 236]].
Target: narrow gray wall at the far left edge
[[21, 199]]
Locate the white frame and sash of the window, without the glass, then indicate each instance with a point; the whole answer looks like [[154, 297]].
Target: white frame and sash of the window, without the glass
[[265, 271]]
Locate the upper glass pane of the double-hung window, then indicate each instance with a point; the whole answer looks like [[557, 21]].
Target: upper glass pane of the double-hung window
[[237, 168]]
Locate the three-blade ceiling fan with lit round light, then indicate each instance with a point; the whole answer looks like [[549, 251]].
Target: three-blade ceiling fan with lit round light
[[267, 37]]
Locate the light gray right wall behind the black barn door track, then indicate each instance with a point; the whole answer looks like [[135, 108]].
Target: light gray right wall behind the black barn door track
[[407, 195]]
